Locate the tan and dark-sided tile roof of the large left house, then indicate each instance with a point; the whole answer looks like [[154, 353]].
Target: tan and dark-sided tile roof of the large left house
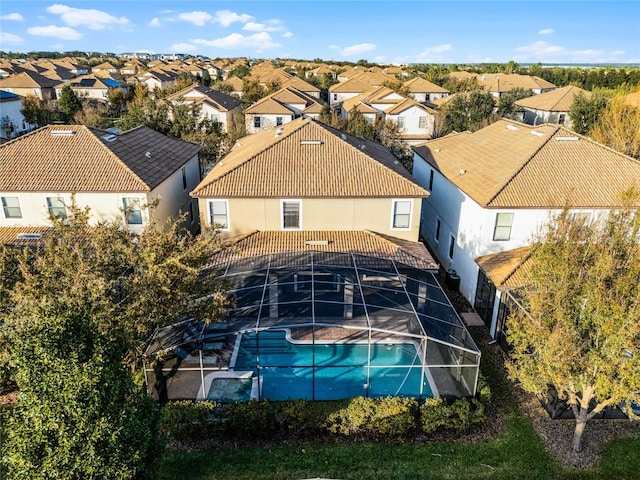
[[74, 158]]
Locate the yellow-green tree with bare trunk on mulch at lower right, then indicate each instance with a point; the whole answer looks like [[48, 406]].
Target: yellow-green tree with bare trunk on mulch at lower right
[[578, 335]]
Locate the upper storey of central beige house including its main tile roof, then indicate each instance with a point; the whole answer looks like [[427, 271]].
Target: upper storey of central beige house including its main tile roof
[[307, 176]]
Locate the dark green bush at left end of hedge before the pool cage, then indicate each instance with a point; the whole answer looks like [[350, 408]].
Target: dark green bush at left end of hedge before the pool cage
[[186, 420]]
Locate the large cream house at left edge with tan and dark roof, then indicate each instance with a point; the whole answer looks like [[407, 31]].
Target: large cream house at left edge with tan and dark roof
[[147, 173]]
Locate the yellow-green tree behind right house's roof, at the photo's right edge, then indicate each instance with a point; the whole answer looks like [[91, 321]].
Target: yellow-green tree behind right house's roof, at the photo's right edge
[[618, 127]]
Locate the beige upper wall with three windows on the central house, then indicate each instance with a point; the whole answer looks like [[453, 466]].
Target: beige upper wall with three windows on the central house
[[249, 214]]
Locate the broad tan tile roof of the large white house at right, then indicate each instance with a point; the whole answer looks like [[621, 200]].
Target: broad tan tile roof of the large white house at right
[[512, 165]]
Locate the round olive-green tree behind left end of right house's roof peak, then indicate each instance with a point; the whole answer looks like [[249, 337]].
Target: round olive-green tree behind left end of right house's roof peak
[[469, 111]]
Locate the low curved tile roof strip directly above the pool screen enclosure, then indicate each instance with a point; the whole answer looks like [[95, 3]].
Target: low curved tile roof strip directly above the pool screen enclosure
[[365, 242]]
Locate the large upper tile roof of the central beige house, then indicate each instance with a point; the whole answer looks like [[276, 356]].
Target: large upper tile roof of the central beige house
[[308, 159]]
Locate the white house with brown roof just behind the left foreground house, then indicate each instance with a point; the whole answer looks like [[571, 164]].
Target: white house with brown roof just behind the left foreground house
[[215, 106]]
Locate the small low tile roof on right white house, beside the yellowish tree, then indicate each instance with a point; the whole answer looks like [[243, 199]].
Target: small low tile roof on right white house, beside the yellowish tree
[[506, 269]]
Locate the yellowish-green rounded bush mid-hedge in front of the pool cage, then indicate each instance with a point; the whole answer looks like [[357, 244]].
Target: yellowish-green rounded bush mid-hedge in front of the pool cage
[[374, 417]]
